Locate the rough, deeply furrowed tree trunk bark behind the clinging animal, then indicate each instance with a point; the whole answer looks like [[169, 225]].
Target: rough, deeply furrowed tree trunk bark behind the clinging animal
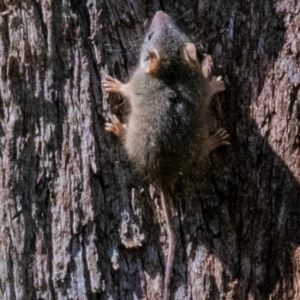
[[77, 220]]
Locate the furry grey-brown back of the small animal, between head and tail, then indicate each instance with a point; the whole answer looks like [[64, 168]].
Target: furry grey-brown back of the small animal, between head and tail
[[159, 138]]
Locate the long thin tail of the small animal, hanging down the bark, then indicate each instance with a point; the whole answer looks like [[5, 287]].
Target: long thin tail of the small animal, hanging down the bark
[[171, 223]]
